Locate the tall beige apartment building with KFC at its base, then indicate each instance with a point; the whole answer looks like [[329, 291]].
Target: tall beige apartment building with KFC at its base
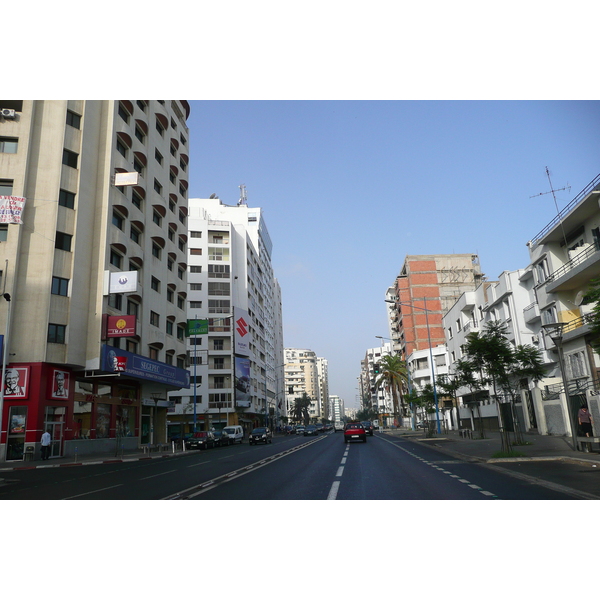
[[94, 279]]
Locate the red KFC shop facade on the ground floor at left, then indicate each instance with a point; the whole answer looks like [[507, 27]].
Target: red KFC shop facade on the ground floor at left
[[82, 415]]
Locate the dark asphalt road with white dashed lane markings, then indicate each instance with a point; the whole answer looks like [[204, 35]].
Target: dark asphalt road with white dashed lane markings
[[291, 468]]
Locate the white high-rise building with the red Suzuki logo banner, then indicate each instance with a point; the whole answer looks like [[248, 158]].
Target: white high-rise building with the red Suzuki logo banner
[[236, 363]]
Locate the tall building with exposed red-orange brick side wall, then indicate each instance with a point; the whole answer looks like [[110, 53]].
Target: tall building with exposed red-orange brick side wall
[[428, 285]]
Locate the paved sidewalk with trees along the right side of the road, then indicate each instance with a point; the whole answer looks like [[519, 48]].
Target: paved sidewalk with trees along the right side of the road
[[537, 448]]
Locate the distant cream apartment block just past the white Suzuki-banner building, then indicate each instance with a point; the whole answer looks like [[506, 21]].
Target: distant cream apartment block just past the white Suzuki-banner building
[[302, 376]]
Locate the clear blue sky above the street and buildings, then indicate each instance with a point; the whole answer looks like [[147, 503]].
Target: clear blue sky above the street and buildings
[[349, 188]]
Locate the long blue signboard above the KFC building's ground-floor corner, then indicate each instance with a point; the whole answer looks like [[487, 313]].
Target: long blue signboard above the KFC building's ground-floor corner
[[115, 360]]
